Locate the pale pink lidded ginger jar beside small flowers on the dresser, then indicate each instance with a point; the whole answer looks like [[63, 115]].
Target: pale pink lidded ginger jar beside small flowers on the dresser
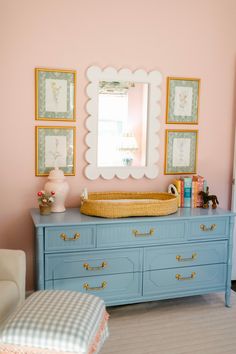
[[57, 183]]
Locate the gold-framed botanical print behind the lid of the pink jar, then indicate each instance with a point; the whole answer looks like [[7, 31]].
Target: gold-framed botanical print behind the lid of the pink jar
[[55, 147]]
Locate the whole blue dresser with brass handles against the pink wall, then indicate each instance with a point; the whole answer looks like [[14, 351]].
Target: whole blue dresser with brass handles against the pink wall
[[139, 259]]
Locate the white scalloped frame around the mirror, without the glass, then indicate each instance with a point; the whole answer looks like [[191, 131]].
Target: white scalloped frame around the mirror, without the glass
[[153, 78]]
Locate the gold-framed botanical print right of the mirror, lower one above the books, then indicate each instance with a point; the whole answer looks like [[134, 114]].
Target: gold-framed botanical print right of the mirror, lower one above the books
[[181, 152]]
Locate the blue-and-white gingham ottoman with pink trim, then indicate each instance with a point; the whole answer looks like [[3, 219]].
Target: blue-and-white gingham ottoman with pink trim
[[56, 321]]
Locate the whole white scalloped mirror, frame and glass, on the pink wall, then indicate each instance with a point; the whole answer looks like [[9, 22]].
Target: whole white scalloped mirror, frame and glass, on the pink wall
[[123, 110]]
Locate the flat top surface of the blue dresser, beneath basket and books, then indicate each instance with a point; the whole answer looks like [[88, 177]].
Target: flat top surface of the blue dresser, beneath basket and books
[[72, 216]]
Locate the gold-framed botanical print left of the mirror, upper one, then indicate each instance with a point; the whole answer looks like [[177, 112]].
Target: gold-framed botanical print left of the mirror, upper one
[[55, 94]]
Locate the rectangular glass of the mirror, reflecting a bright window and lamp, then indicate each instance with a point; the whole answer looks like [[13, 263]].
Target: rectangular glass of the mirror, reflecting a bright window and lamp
[[122, 123]]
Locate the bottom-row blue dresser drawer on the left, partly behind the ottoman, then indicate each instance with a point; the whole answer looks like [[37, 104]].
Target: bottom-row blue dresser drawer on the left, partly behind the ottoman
[[109, 287]]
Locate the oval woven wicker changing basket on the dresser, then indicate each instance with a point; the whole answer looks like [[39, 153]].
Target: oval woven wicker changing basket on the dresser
[[123, 204]]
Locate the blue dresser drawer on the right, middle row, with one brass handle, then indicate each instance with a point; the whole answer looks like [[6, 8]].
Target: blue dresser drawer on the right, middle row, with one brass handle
[[185, 255]]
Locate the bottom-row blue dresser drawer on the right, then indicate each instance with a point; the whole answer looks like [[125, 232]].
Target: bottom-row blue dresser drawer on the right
[[182, 279]]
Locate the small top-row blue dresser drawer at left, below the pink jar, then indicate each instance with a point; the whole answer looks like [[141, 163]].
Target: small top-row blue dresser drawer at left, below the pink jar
[[69, 238]]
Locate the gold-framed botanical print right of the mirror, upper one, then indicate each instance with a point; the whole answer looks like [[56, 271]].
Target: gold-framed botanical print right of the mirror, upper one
[[182, 100]]
